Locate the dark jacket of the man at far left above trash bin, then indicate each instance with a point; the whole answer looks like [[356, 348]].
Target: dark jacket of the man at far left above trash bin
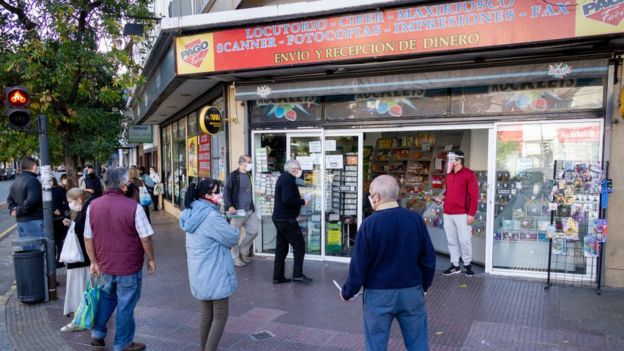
[[25, 197]]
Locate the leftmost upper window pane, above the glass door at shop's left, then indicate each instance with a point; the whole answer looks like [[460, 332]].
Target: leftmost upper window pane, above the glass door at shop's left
[[286, 110]]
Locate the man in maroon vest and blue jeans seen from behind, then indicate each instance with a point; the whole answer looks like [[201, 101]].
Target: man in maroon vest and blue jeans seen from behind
[[117, 237]]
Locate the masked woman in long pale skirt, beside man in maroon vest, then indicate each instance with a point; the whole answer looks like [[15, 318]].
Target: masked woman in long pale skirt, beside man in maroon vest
[[77, 273]]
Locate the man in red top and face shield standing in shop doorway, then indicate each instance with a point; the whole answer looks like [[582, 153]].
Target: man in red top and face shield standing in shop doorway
[[460, 205]]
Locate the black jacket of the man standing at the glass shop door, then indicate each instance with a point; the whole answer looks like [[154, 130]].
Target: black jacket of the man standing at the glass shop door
[[288, 201]]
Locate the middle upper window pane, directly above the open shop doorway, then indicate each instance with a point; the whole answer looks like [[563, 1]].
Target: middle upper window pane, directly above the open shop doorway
[[398, 104]]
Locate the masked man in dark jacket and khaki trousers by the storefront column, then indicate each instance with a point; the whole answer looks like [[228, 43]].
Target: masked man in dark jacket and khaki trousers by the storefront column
[[238, 200]]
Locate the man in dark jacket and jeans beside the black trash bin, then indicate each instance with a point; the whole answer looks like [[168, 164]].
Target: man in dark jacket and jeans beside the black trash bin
[[25, 202]]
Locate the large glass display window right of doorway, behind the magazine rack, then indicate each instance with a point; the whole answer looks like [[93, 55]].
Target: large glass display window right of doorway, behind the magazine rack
[[525, 186]]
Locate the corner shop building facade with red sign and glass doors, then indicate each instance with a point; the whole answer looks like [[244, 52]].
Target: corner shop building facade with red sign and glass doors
[[528, 90]]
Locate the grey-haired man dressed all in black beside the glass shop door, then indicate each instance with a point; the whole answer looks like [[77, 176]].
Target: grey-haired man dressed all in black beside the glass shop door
[[287, 205]]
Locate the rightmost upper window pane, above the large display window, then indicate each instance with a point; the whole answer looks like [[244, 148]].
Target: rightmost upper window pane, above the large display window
[[531, 97]]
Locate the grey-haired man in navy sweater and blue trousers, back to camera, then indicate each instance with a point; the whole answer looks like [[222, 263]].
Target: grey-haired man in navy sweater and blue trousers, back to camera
[[394, 260]]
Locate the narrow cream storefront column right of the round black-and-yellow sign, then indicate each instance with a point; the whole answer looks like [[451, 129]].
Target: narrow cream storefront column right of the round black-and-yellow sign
[[238, 138]]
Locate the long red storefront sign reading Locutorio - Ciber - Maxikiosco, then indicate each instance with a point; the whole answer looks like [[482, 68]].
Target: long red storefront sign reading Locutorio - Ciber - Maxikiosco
[[402, 31]]
